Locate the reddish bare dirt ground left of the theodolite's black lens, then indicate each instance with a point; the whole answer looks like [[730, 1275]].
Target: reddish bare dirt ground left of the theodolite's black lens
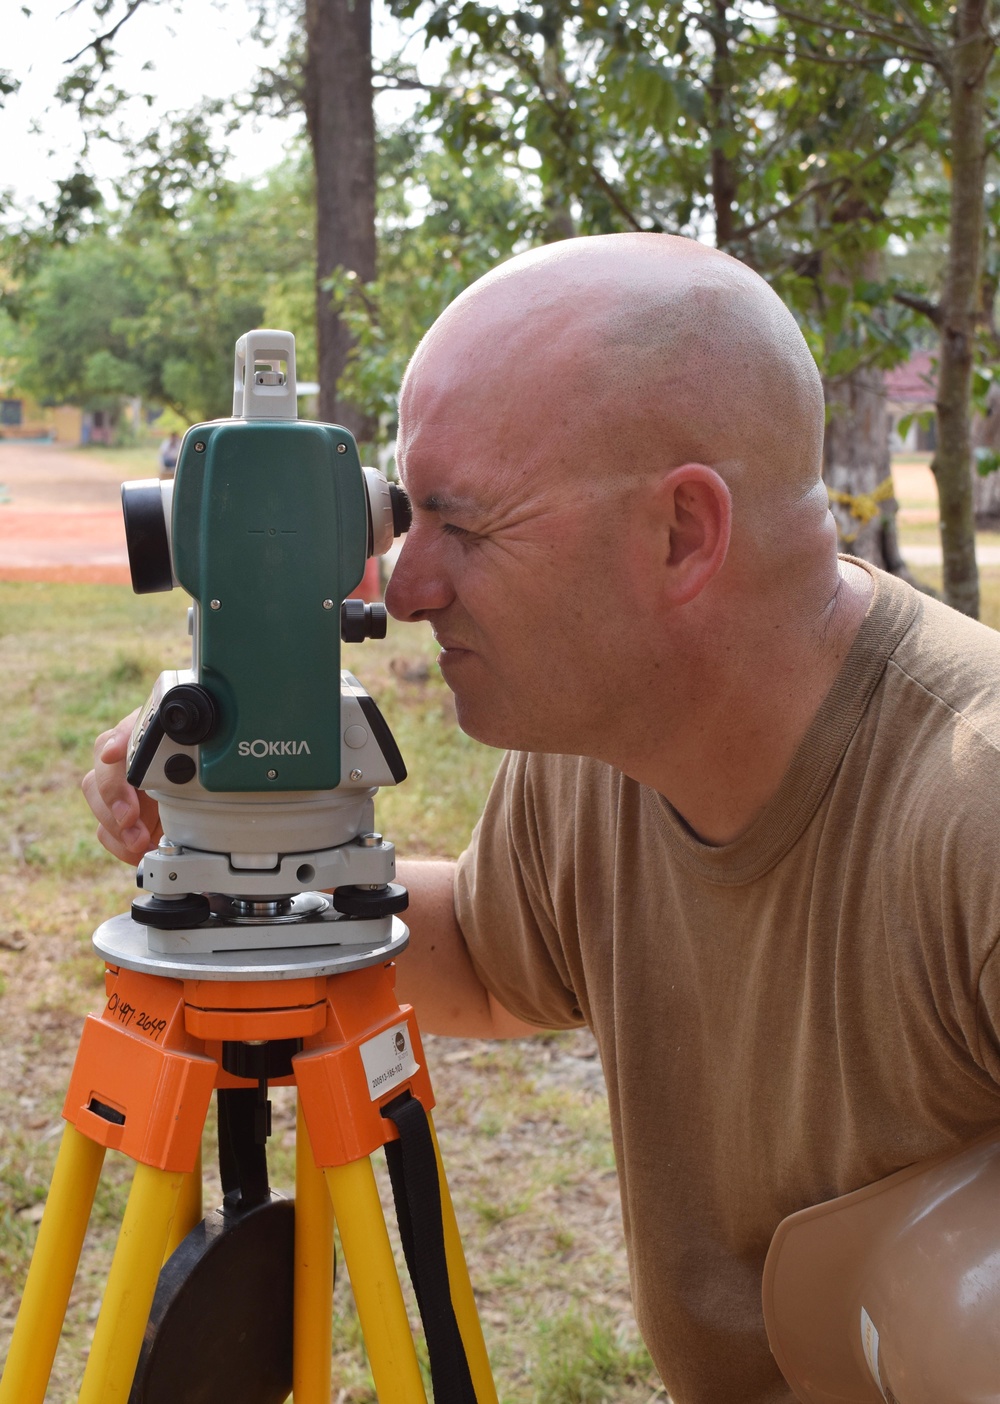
[[61, 516]]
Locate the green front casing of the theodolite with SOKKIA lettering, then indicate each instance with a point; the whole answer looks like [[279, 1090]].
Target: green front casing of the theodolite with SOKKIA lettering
[[270, 534]]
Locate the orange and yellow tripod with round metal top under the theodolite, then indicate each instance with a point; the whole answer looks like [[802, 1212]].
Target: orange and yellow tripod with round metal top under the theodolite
[[173, 1031]]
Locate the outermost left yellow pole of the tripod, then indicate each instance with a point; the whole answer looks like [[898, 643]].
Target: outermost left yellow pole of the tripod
[[53, 1270]]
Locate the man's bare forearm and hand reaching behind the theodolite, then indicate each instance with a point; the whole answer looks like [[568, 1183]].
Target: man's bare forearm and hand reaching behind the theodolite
[[435, 974]]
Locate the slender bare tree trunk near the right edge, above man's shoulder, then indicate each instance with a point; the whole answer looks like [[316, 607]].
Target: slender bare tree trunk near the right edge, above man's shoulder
[[960, 304]]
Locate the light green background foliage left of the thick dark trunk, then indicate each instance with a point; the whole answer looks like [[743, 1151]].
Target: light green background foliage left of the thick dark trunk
[[152, 305]]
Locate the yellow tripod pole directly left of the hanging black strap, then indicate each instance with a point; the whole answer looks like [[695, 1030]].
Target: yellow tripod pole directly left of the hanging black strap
[[376, 1283]]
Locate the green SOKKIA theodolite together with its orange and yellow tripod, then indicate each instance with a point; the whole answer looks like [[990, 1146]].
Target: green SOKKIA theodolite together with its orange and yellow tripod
[[261, 951]]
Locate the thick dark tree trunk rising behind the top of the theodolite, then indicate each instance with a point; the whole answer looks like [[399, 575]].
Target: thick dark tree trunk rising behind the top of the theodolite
[[342, 134]]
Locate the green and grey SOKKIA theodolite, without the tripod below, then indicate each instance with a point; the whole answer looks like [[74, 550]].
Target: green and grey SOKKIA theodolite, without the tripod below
[[263, 757]]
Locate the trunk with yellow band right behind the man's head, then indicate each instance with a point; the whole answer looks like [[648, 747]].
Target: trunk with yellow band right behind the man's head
[[857, 468]]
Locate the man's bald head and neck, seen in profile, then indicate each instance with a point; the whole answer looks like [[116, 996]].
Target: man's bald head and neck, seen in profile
[[613, 449]]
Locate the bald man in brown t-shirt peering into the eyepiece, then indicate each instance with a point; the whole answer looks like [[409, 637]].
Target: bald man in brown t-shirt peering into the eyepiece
[[746, 828]]
